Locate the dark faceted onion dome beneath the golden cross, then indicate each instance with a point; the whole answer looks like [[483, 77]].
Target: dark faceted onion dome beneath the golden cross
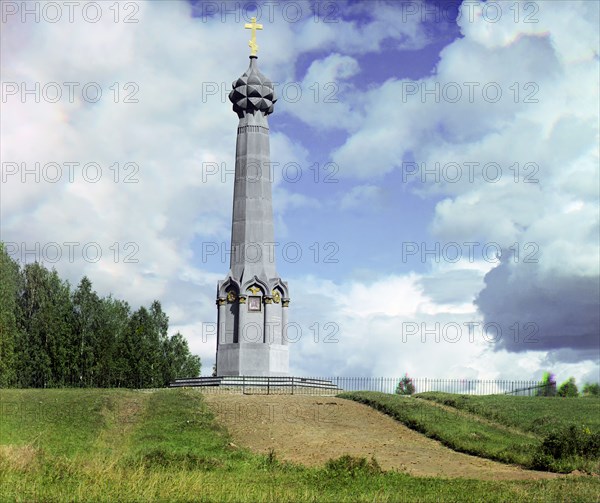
[[252, 92]]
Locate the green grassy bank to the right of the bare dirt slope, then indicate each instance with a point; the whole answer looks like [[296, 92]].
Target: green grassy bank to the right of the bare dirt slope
[[488, 431]]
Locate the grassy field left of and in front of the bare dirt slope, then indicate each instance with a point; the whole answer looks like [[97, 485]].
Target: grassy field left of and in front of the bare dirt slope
[[164, 445]]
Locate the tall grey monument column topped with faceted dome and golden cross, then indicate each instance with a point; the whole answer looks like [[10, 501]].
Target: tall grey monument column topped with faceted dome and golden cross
[[252, 300]]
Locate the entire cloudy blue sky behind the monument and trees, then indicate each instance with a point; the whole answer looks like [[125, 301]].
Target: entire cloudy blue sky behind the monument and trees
[[436, 193]]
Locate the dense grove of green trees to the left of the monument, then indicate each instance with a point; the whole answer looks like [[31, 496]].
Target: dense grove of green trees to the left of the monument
[[50, 336]]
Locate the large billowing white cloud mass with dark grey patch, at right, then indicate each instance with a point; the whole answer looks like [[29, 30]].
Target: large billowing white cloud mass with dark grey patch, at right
[[550, 129]]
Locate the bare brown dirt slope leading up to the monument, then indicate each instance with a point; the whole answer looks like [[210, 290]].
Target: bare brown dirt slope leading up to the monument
[[312, 429]]
